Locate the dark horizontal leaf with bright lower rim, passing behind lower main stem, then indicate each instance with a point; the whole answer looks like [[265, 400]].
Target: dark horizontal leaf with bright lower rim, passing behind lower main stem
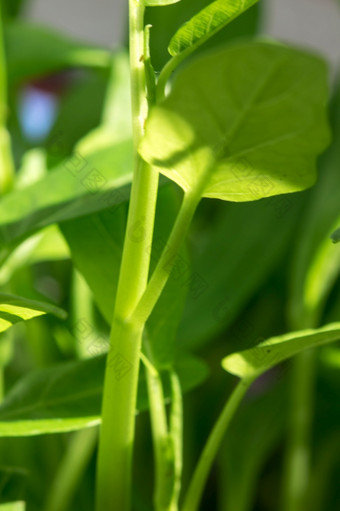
[[68, 397]]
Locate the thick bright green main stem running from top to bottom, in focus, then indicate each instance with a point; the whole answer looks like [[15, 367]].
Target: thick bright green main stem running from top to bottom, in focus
[[122, 367]]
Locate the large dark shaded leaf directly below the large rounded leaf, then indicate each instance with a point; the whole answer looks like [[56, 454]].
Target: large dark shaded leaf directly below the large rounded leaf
[[228, 268]]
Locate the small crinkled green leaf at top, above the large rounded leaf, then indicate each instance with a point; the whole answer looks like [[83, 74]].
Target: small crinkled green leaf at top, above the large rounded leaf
[[206, 23]]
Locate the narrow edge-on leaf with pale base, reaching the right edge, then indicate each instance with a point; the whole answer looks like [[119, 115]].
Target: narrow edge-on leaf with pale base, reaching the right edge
[[255, 361]]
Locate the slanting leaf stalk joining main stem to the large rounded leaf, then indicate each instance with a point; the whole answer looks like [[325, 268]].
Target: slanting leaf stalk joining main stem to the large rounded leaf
[[167, 260]]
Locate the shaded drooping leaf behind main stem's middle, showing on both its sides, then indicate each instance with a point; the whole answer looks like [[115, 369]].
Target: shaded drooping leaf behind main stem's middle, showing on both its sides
[[96, 243]]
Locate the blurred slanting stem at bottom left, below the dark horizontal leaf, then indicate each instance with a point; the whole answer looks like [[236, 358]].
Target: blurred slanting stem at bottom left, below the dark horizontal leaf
[[71, 470]]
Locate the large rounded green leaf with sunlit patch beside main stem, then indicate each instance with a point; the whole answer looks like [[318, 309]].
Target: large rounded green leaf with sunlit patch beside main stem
[[242, 123]]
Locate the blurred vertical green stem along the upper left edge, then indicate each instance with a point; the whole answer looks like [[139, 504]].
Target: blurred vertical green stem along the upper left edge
[[6, 159]]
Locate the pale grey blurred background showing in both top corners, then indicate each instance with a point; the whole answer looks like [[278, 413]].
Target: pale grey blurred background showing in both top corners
[[312, 23]]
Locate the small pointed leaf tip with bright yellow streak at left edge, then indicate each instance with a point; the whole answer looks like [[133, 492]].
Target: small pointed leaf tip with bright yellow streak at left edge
[[14, 309]]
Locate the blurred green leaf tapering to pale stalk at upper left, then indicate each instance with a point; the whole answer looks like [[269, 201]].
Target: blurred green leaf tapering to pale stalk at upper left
[[35, 51]]
